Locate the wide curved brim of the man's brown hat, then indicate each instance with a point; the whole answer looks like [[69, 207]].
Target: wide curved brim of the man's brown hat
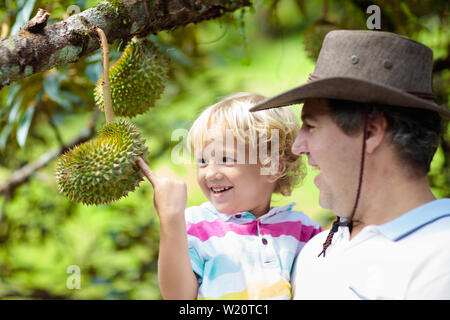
[[352, 89]]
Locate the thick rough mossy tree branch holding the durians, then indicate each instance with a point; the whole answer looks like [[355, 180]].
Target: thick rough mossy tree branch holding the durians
[[32, 51]]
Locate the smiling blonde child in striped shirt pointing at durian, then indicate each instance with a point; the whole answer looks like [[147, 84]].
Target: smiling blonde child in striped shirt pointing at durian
[[235, 246]]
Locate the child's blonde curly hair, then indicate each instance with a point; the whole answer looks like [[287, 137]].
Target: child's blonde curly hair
[[232, 113]]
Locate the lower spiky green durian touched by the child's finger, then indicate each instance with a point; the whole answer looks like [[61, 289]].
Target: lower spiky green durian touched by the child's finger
[[104, 169]]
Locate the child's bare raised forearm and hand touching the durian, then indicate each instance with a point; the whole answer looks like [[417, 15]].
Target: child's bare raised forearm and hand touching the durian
[[175, 275]]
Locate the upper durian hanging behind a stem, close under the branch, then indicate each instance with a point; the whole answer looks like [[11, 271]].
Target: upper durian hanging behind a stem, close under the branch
[[137, 79]]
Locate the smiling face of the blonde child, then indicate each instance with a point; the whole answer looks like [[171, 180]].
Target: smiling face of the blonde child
[[233, 186]]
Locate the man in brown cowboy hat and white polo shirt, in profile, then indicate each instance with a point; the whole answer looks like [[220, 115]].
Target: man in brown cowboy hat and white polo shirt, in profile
[[371, 126]]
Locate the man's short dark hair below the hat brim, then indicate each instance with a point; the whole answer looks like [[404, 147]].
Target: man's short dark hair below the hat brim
[[414, 132]]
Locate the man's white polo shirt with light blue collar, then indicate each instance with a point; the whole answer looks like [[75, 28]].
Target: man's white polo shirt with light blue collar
[[406, 258]]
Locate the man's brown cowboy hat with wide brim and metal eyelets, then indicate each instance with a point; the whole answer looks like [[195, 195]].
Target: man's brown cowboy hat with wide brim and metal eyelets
[[369, 67]]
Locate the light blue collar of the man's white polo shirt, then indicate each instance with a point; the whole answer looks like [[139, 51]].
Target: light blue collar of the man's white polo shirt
[[415, 219]]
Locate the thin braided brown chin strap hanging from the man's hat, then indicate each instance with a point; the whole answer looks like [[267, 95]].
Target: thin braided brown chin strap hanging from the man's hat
[[348, 223]]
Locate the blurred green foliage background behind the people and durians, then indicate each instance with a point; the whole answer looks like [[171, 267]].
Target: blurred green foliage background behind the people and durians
[[265, 49]]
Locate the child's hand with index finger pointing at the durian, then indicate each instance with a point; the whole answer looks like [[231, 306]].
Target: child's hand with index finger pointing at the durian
[[170, 194]]
